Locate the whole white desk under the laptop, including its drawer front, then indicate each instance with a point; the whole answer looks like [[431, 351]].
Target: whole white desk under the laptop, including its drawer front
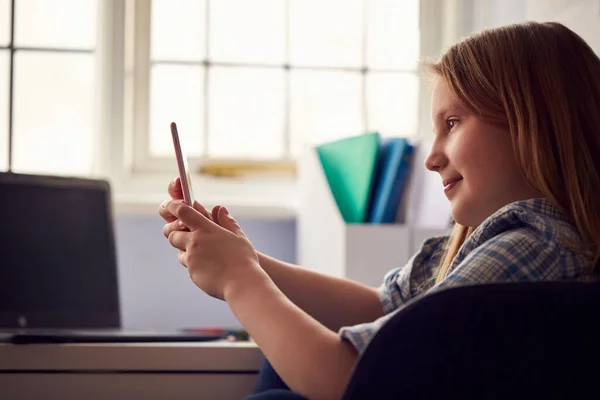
[[206, 370]]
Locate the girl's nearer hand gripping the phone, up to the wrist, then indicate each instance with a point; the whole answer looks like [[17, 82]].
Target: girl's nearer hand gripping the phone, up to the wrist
[[218, 258]]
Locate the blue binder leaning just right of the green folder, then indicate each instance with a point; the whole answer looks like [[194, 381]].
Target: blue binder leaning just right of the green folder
[[391, 174]]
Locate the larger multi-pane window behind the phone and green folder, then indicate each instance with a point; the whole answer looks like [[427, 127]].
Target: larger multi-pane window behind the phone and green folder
[[258, 80]]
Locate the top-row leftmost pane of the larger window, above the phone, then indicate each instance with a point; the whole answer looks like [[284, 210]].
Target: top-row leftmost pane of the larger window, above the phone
[[178, 30]]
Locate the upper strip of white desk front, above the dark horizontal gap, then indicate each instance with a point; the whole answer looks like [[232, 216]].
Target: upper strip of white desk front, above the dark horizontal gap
[[214, 356]]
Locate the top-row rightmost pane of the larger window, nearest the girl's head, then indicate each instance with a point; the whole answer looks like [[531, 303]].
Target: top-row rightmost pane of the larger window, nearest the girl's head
[[393, 34]]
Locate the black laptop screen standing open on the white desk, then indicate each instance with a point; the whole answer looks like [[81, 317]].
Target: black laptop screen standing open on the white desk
[[57, 258]]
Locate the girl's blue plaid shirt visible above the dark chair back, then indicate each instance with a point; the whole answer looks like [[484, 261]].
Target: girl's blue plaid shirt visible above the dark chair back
[[514, 255]]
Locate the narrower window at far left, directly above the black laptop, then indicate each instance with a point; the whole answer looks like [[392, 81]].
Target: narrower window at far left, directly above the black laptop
[[47, 86]]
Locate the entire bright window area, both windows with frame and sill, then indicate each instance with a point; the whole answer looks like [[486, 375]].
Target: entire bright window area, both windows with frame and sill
[[89, 87]]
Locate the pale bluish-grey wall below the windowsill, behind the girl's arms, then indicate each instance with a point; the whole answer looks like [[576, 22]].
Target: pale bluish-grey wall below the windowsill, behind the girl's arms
[[156, 291]]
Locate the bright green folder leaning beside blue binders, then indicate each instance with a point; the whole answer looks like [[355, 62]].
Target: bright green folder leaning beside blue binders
[[349, 166]]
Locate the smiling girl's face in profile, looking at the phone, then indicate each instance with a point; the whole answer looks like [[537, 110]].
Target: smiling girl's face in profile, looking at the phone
[[475, 160]]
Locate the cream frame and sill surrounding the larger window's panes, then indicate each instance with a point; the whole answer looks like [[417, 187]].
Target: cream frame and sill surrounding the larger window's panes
[[139, 181]]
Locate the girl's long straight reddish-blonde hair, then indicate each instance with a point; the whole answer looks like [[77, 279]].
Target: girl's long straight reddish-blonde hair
[[542, 81]]
